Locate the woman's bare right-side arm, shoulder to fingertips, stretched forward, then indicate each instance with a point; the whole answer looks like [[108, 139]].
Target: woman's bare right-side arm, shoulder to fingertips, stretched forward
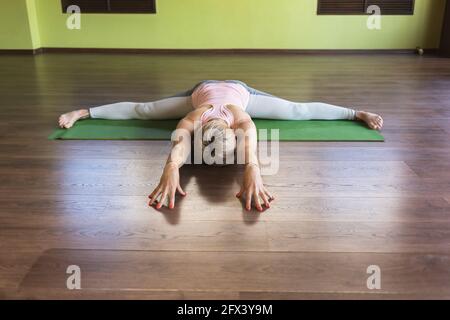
[[252, 185]]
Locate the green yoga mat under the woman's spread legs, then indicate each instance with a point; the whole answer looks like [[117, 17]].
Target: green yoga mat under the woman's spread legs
[[315, 130]]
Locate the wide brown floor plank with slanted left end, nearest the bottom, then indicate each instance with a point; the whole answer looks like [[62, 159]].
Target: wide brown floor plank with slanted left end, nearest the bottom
[[238, 271]]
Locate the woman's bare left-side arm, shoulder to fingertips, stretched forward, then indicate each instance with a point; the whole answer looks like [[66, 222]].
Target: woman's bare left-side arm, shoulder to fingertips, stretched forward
[[169, 183]]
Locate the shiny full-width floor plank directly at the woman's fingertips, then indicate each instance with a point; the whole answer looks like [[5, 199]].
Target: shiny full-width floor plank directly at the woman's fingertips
[[52, 210]]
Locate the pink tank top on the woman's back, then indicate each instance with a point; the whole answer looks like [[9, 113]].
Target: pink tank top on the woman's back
[[218, 95]]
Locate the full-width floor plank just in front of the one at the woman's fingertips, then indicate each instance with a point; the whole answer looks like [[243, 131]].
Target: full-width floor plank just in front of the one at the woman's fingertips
[[321, 236]]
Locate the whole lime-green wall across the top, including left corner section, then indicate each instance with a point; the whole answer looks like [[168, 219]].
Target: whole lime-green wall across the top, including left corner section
[[284, 24]]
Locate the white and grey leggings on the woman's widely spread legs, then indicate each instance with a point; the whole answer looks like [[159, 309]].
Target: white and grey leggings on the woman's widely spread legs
[[261, 105]]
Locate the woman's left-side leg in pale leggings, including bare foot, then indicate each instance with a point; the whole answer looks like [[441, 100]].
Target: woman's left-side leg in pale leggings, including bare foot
[[174, 107]]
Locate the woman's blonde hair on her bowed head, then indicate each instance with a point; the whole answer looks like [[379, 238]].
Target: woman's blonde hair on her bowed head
[[220, 141]]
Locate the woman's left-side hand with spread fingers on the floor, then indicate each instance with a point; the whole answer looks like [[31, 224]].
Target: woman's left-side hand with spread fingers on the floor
[[168, 185]]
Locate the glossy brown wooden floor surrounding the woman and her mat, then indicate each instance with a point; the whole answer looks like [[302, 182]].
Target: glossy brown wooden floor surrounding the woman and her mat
[[340, 206]]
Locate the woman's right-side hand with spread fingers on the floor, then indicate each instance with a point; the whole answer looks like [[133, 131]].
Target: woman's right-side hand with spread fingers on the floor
[[253, 188]]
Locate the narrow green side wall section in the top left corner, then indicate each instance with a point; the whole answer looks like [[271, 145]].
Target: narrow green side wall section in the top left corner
[[14, 26]]
